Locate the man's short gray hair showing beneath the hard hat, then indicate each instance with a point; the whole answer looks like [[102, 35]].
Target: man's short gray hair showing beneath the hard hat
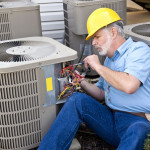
[[119, 26]]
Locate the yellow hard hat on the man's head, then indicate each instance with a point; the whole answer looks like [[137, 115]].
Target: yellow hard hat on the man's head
[[100, 18]]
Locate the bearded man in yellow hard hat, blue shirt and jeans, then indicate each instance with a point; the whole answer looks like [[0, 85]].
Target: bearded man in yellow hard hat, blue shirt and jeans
[[124, 84]]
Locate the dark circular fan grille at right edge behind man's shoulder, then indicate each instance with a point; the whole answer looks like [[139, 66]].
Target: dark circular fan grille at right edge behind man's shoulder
[[143, 29]]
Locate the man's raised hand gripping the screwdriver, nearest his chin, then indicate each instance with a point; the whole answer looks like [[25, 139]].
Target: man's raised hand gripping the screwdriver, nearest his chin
[[92, 61]]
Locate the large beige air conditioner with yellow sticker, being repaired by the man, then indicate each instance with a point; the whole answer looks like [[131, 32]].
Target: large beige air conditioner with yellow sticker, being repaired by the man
[[29, 88]]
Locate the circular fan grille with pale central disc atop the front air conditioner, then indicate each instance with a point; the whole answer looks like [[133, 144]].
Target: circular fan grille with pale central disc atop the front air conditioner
[[18, 51]]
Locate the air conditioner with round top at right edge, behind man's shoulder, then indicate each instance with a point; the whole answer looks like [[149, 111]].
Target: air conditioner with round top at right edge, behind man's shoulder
[[139, 32]]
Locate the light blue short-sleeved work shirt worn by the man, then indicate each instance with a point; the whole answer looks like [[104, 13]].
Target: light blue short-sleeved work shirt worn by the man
[[132, 58]]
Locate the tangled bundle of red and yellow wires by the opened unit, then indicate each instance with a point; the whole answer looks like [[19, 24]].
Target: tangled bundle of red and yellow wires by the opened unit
[[72, 81]]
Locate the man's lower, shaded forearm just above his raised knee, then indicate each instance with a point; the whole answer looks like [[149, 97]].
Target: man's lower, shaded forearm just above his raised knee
[[92, 90]]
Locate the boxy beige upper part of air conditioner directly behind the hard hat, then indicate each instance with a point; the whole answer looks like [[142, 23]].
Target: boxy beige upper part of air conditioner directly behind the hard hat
[[76, 12]]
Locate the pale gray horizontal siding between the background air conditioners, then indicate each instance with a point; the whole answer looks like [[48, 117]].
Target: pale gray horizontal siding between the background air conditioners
[[52, 18]]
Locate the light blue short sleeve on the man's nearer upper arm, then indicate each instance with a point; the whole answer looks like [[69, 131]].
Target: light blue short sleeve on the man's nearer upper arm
[[138, 61]]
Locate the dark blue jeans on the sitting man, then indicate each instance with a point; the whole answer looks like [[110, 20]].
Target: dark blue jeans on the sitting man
[[120, 129]]
